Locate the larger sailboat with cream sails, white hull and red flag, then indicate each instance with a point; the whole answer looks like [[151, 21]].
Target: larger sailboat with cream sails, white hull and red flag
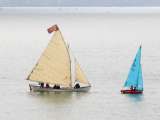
[[57, 69]]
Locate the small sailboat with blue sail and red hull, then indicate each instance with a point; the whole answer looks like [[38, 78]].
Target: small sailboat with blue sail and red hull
[[134, 82]]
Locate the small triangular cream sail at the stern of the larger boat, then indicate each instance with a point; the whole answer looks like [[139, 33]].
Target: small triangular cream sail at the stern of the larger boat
[[80, 76]]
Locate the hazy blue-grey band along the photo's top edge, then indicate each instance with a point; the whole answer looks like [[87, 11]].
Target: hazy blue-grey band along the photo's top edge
[[10, 3]]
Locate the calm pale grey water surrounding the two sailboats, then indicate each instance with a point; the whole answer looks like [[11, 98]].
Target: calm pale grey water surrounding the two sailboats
[[104, 44]]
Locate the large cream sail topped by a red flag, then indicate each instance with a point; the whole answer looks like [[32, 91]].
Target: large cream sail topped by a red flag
[[54, 65]]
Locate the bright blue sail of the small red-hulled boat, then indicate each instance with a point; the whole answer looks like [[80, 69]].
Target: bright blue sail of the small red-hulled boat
[[135, 78]]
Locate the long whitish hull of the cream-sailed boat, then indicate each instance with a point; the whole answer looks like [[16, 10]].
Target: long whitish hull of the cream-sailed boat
[[40, 89]]
